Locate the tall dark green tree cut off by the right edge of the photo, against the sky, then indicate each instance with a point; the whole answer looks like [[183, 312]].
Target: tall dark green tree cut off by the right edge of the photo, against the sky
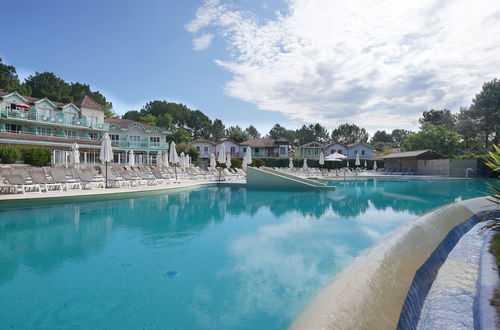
[[485, 109]]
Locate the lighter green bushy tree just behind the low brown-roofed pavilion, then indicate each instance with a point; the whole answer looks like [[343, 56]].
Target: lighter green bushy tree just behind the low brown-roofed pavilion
[[437, 138]]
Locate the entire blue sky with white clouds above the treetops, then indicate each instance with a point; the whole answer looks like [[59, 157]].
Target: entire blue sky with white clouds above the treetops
[[378, 64]]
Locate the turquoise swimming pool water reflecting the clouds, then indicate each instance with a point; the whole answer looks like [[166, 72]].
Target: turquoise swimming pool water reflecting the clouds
[[212, 258]]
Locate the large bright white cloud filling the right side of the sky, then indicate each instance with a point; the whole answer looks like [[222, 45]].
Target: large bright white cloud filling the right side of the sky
[[378, 64]]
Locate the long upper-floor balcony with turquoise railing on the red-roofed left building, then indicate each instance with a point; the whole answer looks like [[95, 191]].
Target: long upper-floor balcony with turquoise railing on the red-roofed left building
[[59, 120]]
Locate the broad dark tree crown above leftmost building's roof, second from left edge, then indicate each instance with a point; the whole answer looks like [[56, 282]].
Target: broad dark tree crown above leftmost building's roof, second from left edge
[[47, 84]]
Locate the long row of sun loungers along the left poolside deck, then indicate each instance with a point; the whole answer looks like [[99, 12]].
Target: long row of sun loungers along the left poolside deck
[[22, 179]]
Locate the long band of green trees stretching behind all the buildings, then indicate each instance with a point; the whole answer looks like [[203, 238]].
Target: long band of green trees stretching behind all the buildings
[[475, 126]]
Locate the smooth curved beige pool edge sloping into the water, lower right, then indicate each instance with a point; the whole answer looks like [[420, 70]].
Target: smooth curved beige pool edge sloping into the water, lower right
[[370, 293]]
